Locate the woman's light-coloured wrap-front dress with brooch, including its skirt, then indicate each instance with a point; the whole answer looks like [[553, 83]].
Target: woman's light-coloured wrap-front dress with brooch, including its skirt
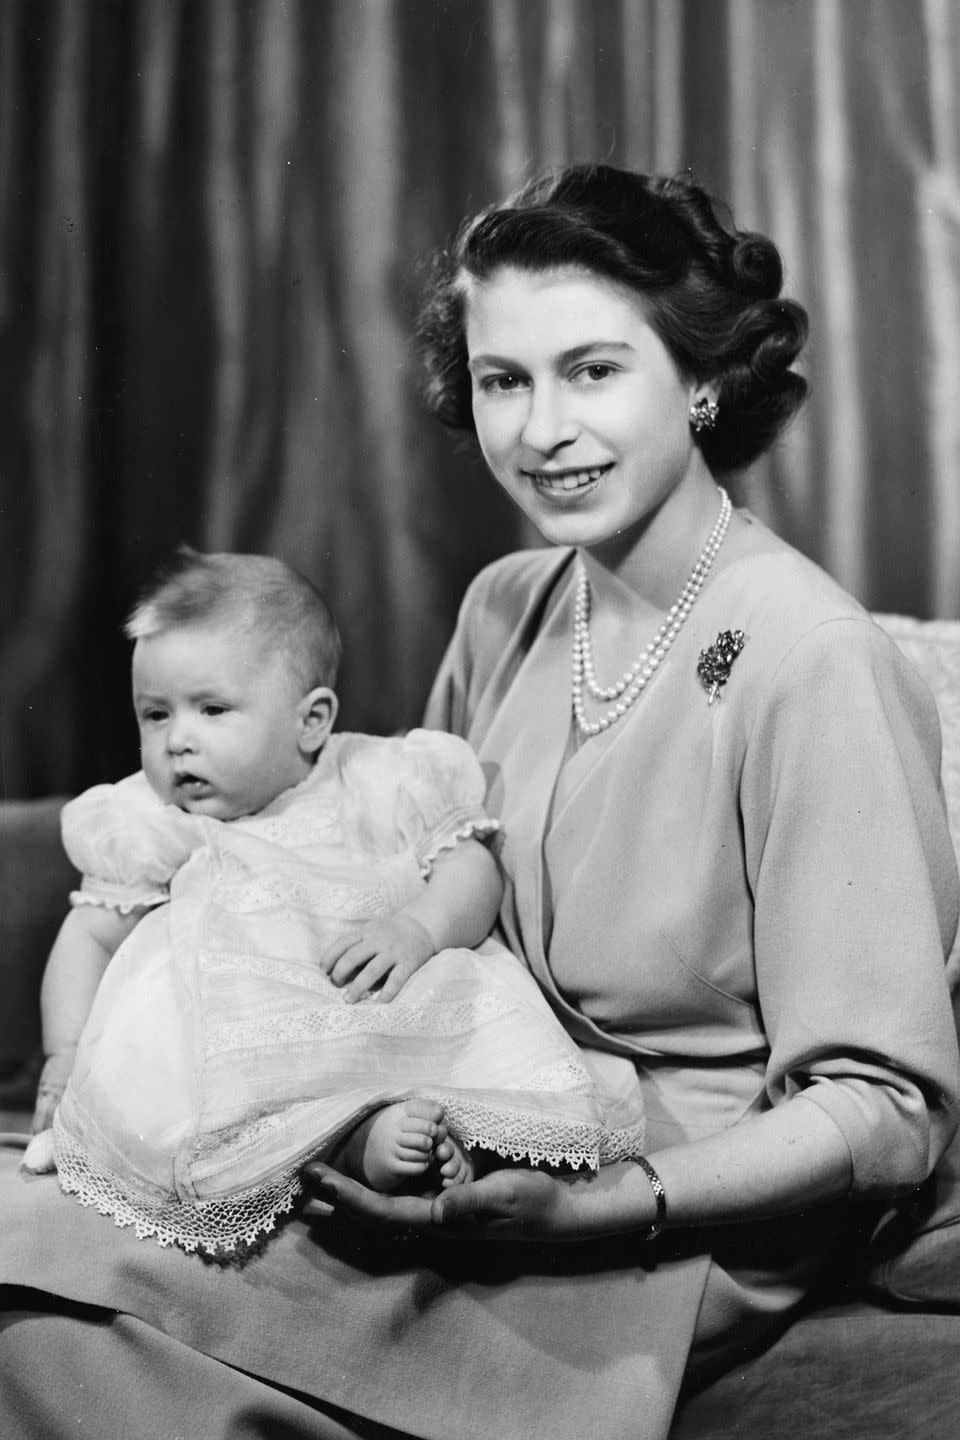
[[752, 901]]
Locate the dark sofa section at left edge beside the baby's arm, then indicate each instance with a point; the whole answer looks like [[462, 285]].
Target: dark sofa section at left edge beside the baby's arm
[[35, 881]]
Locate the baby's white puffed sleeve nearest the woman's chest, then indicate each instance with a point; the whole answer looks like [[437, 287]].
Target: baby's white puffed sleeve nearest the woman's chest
[[440, 797]]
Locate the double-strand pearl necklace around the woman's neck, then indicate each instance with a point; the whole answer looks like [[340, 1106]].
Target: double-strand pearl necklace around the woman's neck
[[635, 679]]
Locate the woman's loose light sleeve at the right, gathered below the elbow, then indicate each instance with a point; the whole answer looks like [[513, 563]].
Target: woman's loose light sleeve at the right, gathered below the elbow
[[856, 899]]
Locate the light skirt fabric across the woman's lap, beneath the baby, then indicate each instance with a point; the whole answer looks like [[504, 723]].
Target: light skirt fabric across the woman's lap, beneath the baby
[[512, 1344]]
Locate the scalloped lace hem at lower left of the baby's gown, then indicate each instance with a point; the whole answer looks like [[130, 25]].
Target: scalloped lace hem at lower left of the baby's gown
[[215, 1228]]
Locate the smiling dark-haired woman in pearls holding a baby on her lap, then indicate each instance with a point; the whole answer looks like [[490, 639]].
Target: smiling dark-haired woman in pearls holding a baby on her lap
[[728, 866]]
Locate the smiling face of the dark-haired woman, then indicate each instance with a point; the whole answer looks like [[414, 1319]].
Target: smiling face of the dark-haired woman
[[581, 411]]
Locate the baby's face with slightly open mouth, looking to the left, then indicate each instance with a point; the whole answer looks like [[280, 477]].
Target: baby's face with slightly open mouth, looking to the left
[[218, 714]]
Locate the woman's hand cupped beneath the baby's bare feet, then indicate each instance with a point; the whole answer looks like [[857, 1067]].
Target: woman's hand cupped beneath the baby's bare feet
[[516, 1205]]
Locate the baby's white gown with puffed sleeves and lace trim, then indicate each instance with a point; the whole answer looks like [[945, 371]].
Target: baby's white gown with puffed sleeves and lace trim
[[219, 1059]]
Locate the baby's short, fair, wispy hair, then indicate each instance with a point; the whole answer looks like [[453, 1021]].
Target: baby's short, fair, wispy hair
[[257, 593]]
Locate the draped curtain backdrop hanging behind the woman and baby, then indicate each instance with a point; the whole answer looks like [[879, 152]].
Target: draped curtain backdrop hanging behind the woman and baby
[[215, 221]]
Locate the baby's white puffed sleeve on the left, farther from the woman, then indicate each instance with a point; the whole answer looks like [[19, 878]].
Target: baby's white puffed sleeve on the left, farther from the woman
[[126, 845]]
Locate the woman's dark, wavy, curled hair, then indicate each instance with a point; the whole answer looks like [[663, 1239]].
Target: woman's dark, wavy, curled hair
[[710, 292]]
